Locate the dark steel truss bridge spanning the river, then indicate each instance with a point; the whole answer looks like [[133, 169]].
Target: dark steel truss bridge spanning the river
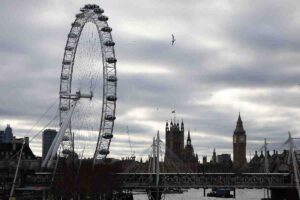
[[280, 184]]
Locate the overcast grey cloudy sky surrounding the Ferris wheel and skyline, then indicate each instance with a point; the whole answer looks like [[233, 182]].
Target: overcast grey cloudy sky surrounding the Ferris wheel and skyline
[[229, 56]]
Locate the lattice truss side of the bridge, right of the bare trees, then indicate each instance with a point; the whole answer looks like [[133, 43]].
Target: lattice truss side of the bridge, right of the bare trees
[[207, 180]]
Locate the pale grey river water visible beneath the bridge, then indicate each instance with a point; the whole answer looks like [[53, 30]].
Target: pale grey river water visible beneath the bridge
[[193, 194]]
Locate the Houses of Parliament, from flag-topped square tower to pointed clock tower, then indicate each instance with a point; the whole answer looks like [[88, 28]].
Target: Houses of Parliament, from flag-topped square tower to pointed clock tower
[[177, 151]]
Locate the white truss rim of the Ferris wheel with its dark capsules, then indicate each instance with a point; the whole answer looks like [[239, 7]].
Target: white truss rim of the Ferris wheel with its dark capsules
[[93, 14]]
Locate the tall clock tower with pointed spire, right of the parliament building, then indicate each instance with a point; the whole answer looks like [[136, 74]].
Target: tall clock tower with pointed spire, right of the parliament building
[[239, 144]]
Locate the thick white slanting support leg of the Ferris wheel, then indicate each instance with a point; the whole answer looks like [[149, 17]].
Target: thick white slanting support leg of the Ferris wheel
[[55, 145]]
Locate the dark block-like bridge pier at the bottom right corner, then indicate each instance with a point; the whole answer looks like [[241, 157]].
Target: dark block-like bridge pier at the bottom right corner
[[284, 194]]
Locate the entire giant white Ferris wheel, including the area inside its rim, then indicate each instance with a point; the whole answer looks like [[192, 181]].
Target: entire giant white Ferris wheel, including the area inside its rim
[[89, 55]]
